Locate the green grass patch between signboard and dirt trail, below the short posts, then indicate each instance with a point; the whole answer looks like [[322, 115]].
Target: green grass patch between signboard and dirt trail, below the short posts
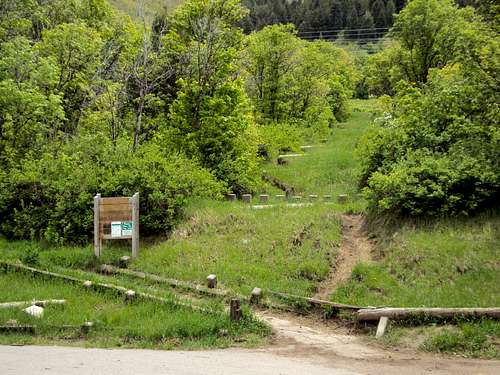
[[283, 249]]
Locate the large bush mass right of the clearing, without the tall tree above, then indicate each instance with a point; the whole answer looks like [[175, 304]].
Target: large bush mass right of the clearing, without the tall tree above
[[438, 153]]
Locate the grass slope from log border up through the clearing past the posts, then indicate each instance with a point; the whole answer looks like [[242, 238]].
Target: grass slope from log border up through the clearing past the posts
[[241, 246]]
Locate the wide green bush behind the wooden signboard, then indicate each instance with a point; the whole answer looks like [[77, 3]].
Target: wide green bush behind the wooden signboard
[[52, 197]]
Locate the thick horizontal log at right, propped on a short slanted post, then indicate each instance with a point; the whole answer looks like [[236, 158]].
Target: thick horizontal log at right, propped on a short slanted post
[[437, 312]]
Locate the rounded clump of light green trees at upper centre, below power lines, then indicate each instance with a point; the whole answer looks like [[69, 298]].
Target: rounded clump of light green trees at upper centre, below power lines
[[290, 80]]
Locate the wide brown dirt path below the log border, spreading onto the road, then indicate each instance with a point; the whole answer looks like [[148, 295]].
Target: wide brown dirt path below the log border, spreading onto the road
[[328, 344]]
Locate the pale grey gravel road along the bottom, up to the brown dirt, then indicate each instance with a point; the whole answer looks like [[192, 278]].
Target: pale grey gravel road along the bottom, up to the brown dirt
[[31, 360]]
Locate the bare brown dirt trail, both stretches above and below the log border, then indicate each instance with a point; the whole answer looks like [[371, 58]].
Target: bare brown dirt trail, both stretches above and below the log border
[[330, 344]]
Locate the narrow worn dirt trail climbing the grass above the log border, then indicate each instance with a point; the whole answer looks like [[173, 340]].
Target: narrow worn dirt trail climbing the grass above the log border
[[355, 248]]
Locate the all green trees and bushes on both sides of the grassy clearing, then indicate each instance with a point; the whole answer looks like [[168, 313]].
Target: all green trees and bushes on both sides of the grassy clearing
[[92, 101]]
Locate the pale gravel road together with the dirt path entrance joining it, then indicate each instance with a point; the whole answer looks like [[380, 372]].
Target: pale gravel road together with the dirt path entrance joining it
[[300, 346]]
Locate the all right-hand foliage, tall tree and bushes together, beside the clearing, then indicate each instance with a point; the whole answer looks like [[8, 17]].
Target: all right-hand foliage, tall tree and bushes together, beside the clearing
[[437, 151]]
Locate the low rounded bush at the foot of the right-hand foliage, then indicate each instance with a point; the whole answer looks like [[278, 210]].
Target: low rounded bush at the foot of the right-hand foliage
[[426, 183]]
